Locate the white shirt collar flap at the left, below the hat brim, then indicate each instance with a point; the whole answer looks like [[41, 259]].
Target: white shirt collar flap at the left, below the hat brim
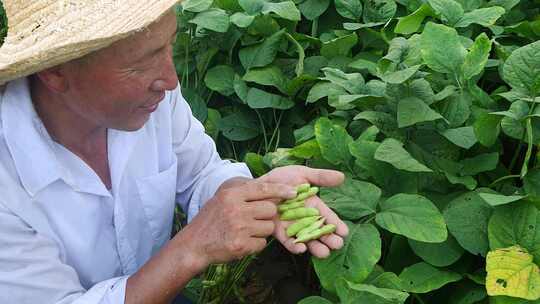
[[27, 139]]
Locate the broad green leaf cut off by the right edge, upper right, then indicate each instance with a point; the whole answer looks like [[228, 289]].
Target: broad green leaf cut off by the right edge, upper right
[[522, 69]]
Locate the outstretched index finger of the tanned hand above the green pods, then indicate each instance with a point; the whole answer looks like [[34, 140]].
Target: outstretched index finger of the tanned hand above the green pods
[[256, 191]]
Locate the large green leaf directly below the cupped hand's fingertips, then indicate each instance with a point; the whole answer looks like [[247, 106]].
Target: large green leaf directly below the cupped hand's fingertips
[[354, 262]]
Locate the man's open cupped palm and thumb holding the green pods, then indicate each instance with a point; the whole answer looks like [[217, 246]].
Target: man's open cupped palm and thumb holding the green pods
[[295, 175]]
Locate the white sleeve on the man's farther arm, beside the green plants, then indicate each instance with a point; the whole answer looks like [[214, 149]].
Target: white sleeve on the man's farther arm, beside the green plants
[[200, 169]]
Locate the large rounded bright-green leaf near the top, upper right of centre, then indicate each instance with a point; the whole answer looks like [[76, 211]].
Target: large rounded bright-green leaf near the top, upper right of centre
[[441, 48]]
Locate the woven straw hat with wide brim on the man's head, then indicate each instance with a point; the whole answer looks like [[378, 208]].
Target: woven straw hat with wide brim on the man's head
[[46, 33]]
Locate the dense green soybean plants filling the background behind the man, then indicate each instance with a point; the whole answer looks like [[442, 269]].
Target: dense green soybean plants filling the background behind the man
[[430, 108]]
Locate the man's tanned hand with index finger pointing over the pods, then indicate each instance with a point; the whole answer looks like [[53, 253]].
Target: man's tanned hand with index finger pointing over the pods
[[235, 222]]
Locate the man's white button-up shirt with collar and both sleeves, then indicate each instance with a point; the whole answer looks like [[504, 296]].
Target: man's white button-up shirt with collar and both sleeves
[[65, 238]]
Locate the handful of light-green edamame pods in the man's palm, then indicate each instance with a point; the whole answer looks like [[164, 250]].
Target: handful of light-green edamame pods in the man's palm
[[309, 224]]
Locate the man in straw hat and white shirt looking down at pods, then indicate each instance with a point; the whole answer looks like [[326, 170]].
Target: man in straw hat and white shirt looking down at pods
[[96, 146]]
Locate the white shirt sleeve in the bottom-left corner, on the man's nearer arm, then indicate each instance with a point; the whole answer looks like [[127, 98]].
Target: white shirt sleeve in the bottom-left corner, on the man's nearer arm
[[31, 270]]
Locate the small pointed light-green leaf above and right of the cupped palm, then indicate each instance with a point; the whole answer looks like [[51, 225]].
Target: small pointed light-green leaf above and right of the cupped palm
[[392, 152]]
